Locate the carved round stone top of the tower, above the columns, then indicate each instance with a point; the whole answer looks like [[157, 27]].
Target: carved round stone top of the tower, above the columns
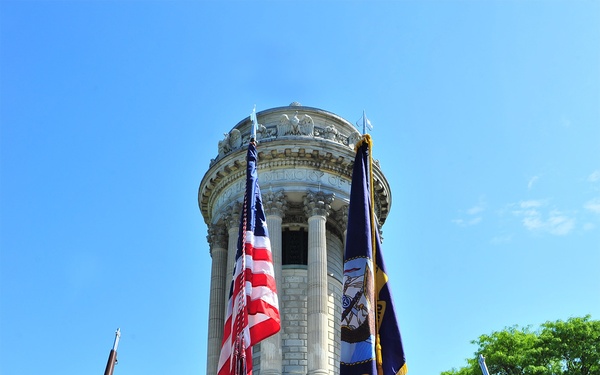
[[290, 139]]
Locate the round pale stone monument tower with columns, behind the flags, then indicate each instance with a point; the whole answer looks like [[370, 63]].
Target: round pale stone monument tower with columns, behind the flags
[[305, 158]]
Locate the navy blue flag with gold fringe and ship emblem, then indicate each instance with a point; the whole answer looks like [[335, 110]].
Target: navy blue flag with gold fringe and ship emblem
[[371, 342]]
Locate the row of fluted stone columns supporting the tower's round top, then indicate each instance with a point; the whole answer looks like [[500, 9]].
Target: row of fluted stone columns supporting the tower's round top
[[223, 243]]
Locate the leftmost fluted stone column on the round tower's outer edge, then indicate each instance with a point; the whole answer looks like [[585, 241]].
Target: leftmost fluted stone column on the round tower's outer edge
[[218, 252]]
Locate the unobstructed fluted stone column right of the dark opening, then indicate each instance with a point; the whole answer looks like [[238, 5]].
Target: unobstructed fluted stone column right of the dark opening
[[317, 206]]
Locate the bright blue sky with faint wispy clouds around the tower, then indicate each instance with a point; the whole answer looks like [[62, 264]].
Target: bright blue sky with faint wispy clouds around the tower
[[487, 125]]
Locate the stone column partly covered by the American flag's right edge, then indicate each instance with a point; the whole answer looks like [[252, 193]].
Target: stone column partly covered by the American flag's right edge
[[275, 206]]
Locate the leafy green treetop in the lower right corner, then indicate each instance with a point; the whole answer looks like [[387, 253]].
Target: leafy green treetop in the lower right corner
[[569, 347]]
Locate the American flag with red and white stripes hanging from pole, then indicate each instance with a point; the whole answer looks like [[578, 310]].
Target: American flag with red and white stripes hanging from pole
[[253, 307]]
